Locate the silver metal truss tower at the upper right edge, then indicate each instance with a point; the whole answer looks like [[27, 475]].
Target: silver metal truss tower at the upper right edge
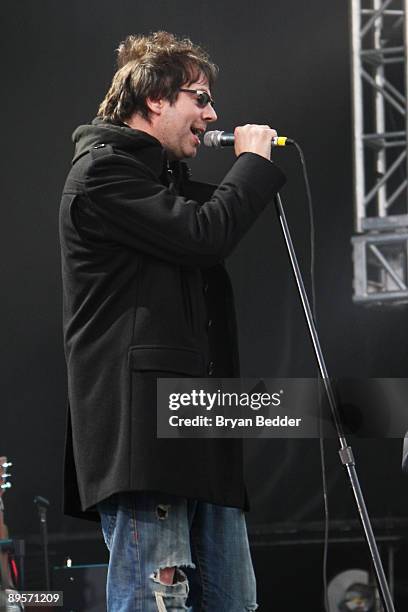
[[380, 136]]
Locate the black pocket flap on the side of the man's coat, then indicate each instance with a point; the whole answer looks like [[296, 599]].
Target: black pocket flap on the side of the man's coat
[[166, 359]]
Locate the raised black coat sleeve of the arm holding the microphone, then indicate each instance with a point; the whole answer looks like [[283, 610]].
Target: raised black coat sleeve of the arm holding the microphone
[[136, 210]]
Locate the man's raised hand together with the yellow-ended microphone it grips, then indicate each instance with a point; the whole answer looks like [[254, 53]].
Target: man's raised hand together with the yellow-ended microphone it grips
[[247, 139]]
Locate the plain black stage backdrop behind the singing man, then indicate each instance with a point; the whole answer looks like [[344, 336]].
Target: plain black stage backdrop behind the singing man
[[285, 63]]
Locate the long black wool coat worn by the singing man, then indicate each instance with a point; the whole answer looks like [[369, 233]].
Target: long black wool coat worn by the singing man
[[145, 295]]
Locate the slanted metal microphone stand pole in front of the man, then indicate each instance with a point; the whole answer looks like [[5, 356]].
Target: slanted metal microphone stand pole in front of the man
[[345, 452]]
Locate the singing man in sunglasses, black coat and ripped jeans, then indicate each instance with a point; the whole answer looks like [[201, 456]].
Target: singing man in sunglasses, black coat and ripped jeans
[[146, 295]]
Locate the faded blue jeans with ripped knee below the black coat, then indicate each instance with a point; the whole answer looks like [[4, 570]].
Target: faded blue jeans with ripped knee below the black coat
[[207, 544]]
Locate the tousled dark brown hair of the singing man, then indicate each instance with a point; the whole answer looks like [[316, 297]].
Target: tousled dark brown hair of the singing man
[[155, 67]]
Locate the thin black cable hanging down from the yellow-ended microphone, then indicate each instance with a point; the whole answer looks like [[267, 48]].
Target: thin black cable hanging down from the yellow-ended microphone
[[321, 438]]
